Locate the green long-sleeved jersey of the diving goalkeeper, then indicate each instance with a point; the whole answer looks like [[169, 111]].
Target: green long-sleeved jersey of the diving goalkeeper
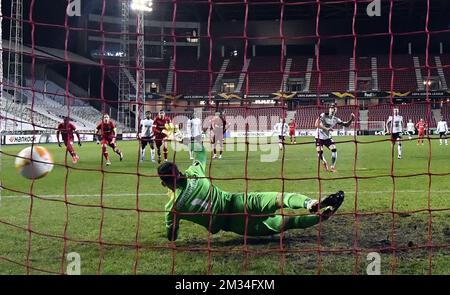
[[199, 202]]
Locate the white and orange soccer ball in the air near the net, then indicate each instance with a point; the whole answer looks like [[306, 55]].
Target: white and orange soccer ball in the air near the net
[[34, 163]]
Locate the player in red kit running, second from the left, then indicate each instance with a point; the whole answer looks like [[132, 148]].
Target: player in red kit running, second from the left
[[106, 132]]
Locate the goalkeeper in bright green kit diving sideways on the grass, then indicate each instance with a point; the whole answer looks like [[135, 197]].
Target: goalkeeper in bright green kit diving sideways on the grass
[[194, 198]]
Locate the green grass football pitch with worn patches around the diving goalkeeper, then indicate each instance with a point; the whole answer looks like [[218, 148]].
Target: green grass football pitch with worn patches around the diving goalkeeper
[[369, 187]]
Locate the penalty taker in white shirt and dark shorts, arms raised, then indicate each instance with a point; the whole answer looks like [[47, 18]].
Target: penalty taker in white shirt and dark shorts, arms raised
[[325, 124]]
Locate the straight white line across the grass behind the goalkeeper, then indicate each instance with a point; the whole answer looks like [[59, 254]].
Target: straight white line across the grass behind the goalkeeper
[[163, 194]]
